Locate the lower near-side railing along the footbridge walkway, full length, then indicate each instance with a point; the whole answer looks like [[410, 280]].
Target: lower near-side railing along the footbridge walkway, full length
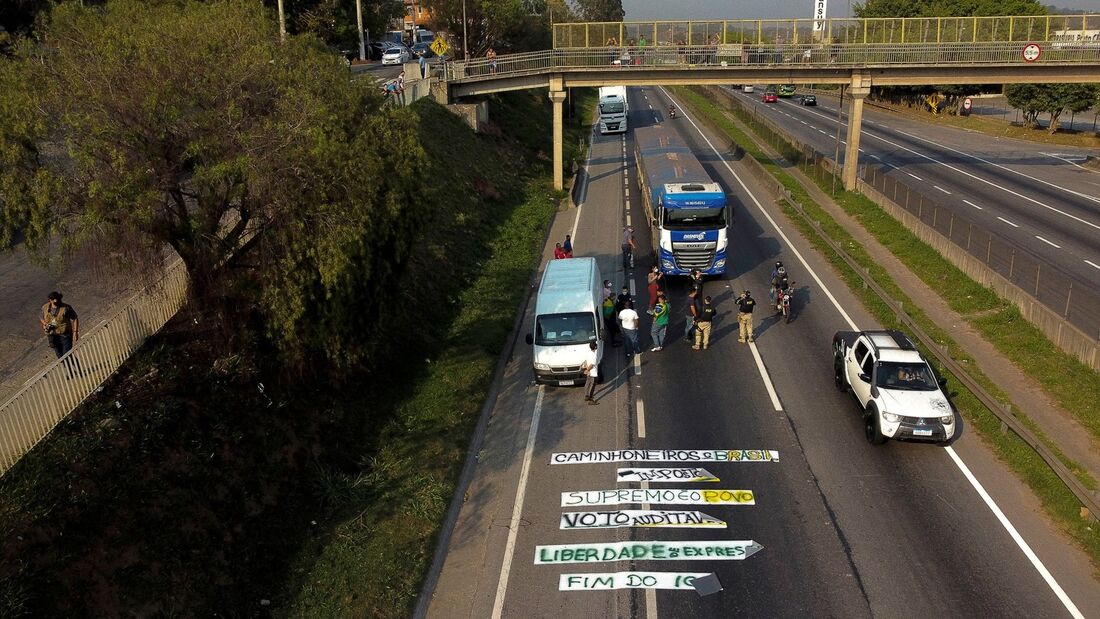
[[734, 56]]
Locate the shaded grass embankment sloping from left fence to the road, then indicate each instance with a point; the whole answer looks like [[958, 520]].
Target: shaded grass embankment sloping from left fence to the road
[[203, 487]]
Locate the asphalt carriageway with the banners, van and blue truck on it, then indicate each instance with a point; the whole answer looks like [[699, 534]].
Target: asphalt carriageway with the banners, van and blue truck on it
[[846, 529]]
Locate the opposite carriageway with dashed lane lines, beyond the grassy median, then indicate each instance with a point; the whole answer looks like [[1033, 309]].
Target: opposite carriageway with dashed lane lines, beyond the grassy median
[[1037, 196]]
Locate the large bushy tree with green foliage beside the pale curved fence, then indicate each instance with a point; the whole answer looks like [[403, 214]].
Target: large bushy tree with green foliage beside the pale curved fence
[[190, 126]]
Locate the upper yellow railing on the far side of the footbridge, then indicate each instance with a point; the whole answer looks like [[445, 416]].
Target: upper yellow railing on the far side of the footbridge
[[838, 30]]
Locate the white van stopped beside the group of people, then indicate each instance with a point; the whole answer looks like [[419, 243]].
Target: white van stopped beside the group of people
[[567, 319]]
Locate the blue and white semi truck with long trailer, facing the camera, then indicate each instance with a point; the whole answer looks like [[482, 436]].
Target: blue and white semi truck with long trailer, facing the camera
[[687, 211]]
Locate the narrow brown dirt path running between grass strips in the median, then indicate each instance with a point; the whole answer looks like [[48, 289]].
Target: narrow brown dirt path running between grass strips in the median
[[1026, 394]]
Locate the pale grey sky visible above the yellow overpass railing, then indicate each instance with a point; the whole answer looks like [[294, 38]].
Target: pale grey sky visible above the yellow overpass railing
[[760, 9]]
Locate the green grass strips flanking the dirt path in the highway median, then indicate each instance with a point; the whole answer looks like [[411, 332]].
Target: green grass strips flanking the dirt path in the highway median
[[1070, 382]]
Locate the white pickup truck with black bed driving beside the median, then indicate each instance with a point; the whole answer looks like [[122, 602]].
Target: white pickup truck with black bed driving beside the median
[[899, 393]]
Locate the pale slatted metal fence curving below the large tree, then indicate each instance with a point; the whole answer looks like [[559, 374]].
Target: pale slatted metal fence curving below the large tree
[[52, 395]]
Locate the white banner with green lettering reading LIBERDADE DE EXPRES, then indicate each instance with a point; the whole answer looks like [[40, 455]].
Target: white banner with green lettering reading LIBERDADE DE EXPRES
[[719, 550]]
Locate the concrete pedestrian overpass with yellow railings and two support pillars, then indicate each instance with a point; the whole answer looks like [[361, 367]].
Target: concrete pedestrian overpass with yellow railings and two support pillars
[[855, 53]]
